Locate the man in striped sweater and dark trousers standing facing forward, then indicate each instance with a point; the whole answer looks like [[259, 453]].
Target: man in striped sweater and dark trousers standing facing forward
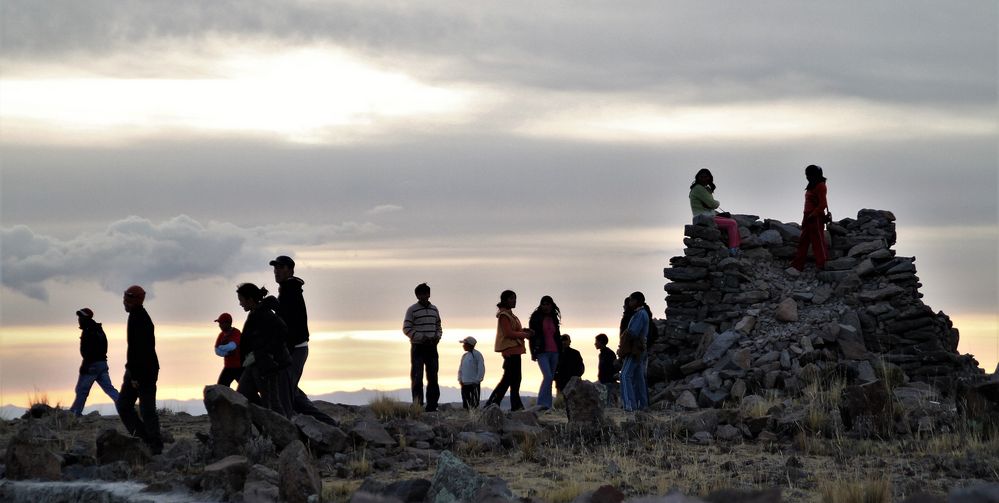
[[423, 327]]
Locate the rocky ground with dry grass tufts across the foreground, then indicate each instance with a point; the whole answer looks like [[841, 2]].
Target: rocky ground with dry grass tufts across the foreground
[[389, 449]]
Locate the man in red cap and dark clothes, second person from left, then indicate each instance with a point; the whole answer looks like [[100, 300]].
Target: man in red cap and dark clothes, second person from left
[[142, 369]]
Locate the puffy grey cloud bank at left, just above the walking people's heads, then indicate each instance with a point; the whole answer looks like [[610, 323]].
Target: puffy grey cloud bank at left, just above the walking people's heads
[[138, 251]]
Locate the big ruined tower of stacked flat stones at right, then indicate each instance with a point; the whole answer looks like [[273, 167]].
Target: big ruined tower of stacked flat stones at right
[[740, 326]]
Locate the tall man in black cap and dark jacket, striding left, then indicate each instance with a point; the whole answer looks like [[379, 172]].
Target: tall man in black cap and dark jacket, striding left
[[292, 311]]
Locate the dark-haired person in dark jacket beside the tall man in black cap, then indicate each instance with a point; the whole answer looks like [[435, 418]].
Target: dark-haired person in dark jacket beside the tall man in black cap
[[266, 378]]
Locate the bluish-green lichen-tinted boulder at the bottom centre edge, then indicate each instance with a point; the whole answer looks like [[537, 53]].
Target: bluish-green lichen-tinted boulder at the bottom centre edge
[[455, 481]]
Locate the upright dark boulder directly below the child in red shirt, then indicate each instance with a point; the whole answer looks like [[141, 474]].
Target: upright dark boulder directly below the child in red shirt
[[229, 414]]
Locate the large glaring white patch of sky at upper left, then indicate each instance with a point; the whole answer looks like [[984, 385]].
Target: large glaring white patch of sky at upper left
[[307, 95]]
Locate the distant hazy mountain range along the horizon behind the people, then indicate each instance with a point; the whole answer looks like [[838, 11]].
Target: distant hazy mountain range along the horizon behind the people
[[196, 407]]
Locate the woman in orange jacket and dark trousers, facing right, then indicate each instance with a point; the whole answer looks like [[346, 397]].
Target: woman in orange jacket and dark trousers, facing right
[[510, 336]]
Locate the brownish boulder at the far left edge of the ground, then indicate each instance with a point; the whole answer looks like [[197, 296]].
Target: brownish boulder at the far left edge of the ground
[[33, 453]]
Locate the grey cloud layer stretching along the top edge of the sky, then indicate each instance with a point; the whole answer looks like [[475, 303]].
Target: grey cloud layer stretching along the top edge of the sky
[[687, 51]]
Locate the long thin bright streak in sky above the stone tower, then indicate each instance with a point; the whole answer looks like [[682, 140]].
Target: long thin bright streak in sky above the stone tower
[[781, 120]]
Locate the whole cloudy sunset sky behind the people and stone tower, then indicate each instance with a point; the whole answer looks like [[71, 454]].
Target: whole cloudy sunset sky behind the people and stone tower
[[545, 148]]
